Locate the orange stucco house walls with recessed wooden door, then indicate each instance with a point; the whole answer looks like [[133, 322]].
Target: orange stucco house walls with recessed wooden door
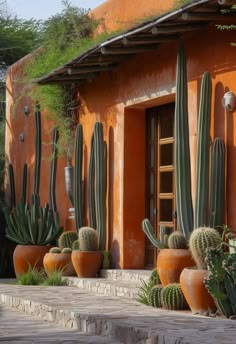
[[135, 102]]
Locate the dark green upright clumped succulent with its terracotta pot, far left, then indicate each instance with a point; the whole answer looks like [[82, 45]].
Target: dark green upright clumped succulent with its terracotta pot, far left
[[33, 228]]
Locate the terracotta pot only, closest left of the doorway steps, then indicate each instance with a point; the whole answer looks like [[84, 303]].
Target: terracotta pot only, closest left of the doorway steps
[[87, 263]]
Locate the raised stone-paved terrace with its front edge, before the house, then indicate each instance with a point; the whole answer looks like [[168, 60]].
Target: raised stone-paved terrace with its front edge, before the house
[[124, 319]]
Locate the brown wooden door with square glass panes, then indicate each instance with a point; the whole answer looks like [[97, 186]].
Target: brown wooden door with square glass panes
[[160, 195]]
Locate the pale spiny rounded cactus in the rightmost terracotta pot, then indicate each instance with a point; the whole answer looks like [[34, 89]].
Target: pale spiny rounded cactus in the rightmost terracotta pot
[[200, 240]]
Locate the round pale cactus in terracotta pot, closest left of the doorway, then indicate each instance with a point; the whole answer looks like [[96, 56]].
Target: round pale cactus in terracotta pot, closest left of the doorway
[[86, 258]]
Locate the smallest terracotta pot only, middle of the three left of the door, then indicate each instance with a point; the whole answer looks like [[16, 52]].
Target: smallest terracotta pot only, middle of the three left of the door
[[59, 261]]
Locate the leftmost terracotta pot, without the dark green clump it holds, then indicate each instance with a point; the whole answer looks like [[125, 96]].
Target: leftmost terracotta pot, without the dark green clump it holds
[[29, 255]]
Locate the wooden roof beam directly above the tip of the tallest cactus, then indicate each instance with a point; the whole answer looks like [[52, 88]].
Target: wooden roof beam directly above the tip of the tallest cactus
[[169, 29]]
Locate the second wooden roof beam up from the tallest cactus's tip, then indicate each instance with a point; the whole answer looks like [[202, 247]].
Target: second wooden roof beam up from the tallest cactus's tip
[[204, 16]]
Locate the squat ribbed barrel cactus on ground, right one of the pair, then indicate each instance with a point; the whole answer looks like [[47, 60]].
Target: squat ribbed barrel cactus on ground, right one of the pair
[[173, 298]]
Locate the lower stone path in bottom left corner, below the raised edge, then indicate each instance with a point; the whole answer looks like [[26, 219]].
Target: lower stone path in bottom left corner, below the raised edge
[[17, 327]]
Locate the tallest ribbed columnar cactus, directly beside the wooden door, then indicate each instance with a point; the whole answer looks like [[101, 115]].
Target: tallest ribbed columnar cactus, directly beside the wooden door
[[182, 153]]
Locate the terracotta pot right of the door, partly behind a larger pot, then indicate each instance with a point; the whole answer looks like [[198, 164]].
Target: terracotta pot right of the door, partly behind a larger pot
[[171, 262]]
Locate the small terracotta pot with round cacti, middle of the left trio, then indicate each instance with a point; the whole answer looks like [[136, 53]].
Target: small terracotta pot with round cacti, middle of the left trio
[[59, 258]]
